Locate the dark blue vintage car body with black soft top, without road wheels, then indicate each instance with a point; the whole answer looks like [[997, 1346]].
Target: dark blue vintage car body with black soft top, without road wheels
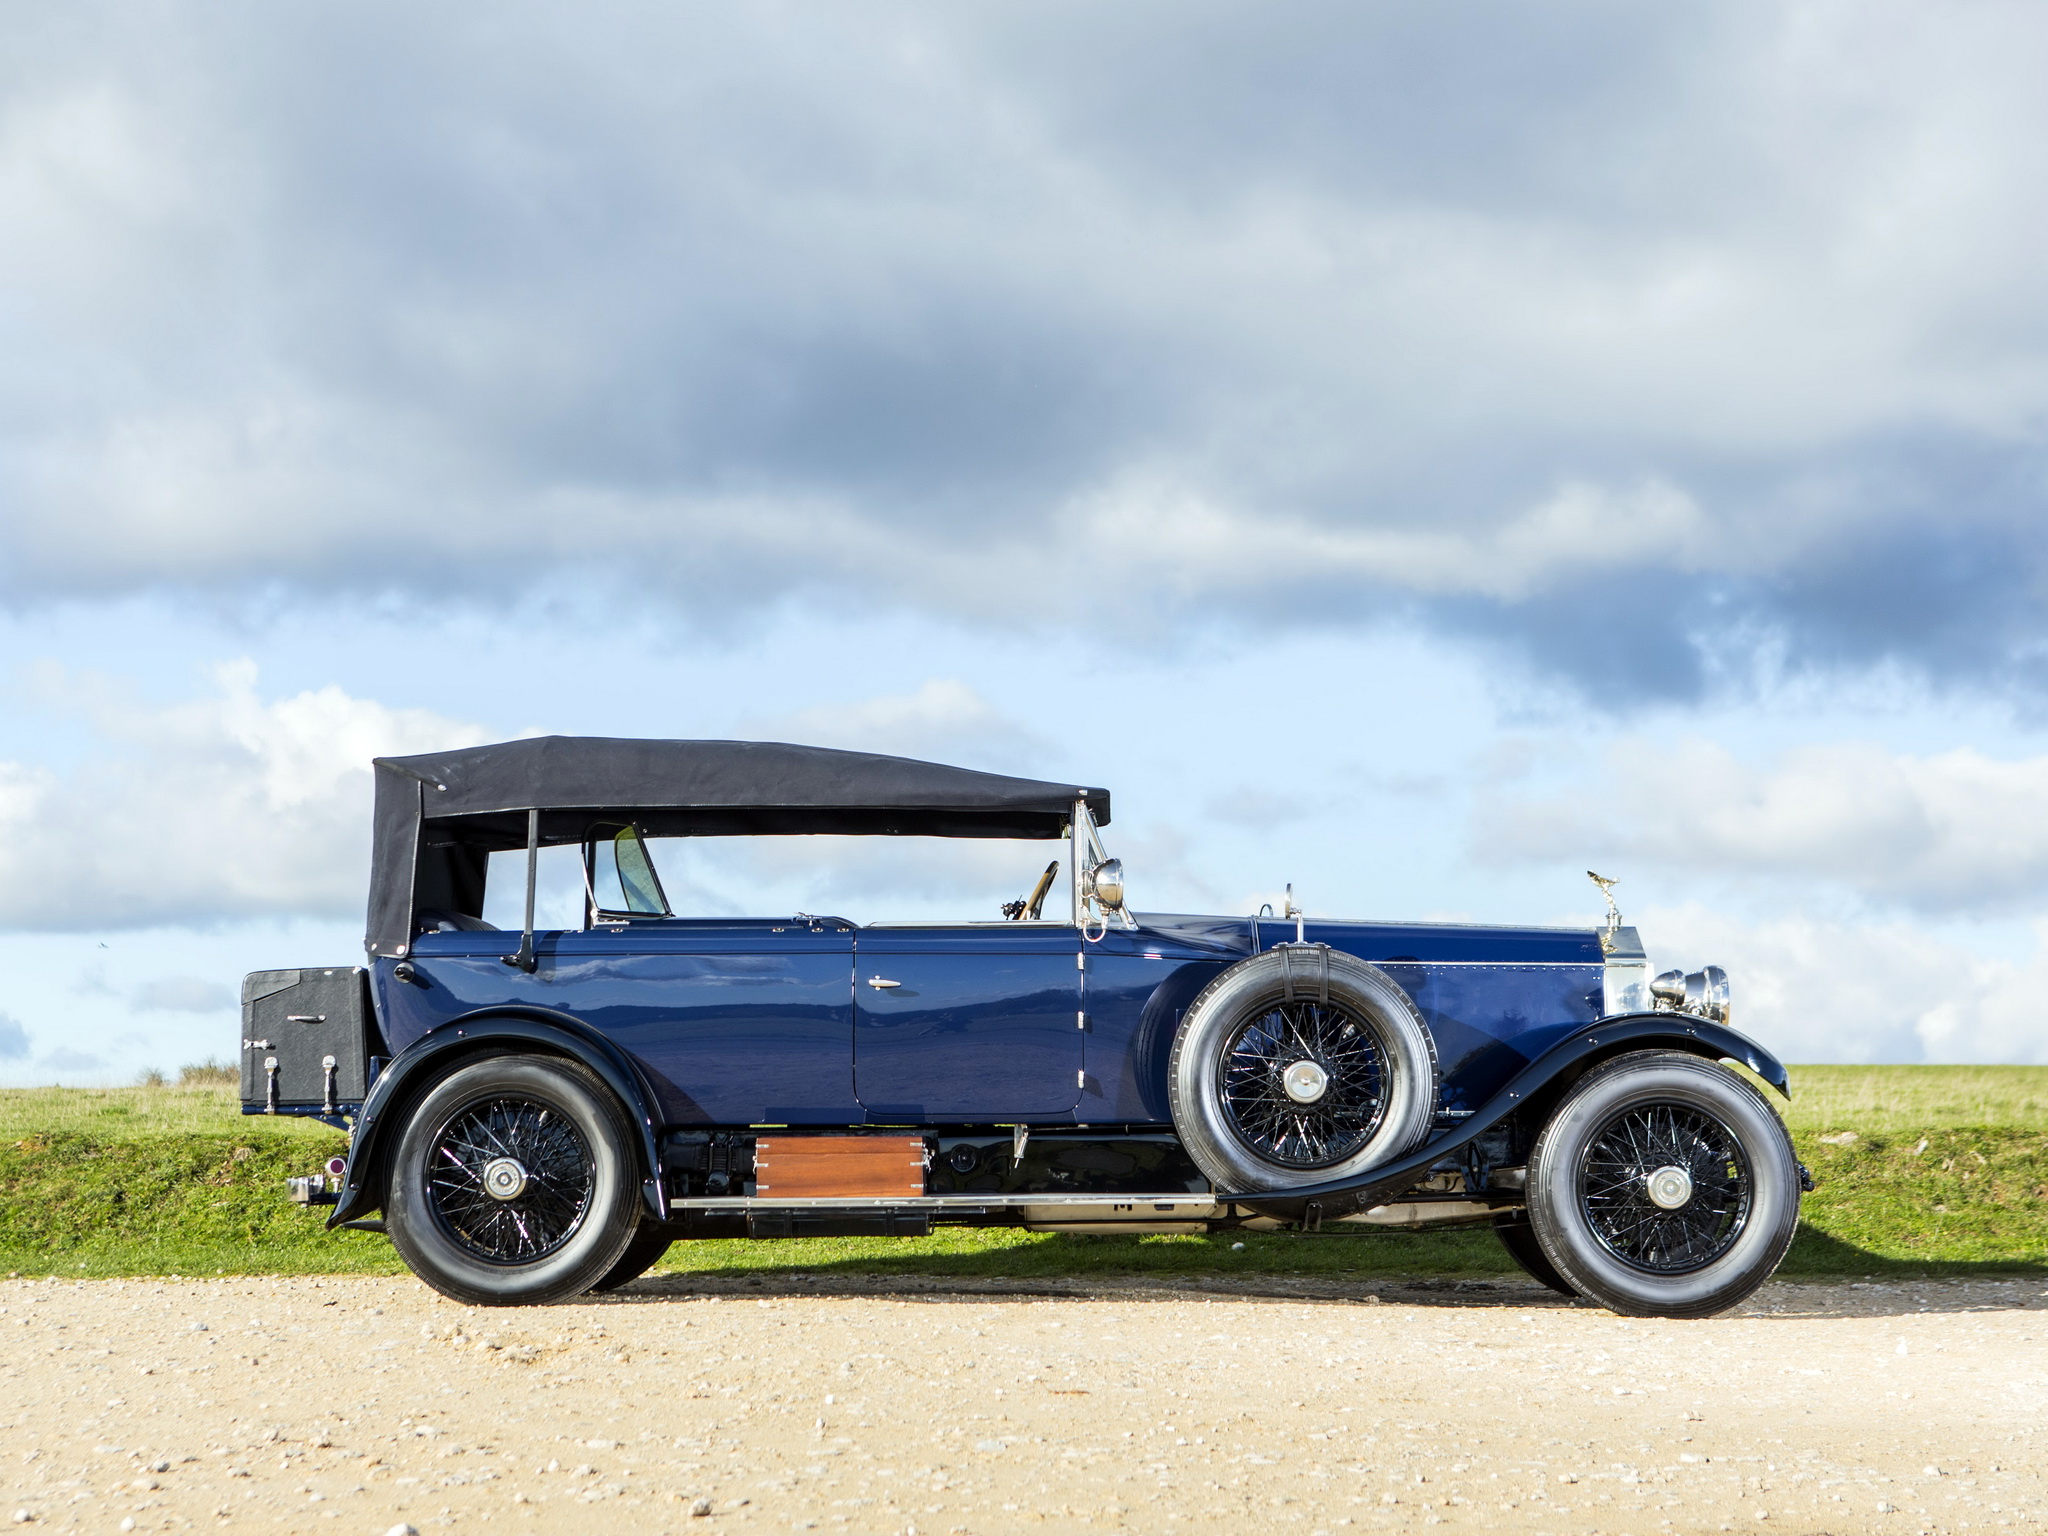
[[968, 1046]]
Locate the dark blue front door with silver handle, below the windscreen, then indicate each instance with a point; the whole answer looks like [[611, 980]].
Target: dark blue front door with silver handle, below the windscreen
[[970, 1023]]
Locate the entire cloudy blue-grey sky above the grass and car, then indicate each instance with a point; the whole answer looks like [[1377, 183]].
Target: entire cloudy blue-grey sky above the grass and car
[[1406, 452]]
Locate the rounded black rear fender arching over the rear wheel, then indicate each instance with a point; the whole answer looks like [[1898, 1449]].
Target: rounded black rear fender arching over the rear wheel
[[435, 1054]]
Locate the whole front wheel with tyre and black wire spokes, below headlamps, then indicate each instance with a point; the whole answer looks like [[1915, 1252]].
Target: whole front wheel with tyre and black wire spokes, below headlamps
[[1664, 1187]]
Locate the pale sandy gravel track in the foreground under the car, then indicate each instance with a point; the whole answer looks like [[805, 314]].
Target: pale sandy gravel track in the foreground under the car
[[689, 1404]]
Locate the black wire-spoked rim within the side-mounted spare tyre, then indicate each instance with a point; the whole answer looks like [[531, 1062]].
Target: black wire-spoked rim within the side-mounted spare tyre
[[1304, 1084]]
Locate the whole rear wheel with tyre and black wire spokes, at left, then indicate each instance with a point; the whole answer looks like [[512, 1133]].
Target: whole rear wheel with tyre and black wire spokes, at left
[[515, 1183]]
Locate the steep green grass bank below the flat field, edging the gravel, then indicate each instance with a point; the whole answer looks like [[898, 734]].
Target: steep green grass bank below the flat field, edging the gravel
[[1953, 1201]]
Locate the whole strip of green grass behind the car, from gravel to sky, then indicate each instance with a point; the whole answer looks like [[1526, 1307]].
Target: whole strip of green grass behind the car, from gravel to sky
[[175, 1181]]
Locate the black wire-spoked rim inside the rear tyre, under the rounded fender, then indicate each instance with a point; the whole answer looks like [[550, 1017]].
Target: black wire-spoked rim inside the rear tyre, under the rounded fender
[[509, 1181]]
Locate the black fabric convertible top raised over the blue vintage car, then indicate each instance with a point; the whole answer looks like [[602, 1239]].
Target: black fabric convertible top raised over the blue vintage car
[[441, 814]]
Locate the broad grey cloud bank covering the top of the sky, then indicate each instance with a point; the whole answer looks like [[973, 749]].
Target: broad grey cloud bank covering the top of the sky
[[1639, 343]]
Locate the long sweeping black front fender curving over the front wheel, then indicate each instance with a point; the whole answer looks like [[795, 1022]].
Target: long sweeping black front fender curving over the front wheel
[[1562, 1064]]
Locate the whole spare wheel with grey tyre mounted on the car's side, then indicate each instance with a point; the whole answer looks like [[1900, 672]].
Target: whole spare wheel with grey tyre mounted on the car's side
[[1299, 1066]]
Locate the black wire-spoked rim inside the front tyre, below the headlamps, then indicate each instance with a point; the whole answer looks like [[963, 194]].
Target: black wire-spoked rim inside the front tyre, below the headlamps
[[1666, 1187]]
